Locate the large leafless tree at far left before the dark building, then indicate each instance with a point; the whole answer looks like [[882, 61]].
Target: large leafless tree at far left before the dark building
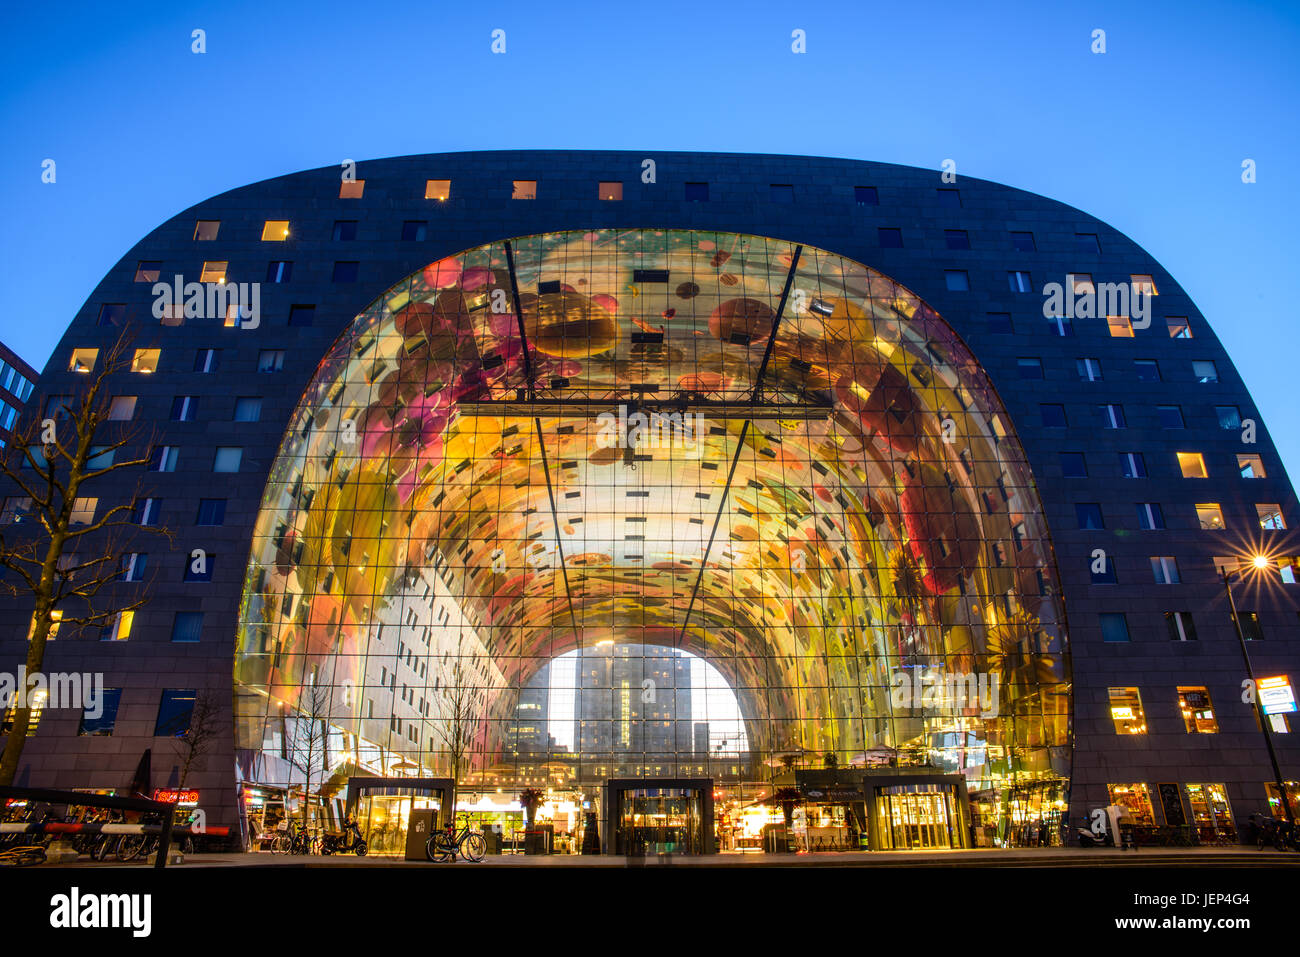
[[54, 464]]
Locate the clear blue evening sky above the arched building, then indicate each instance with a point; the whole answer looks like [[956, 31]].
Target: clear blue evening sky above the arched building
[[1150, 136]]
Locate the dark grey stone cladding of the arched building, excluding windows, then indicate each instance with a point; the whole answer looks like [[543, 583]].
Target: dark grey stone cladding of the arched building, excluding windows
[[825, 214]]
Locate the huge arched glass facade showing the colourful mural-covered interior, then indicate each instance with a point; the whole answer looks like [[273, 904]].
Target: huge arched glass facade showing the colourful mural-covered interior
[[652, 505]]
